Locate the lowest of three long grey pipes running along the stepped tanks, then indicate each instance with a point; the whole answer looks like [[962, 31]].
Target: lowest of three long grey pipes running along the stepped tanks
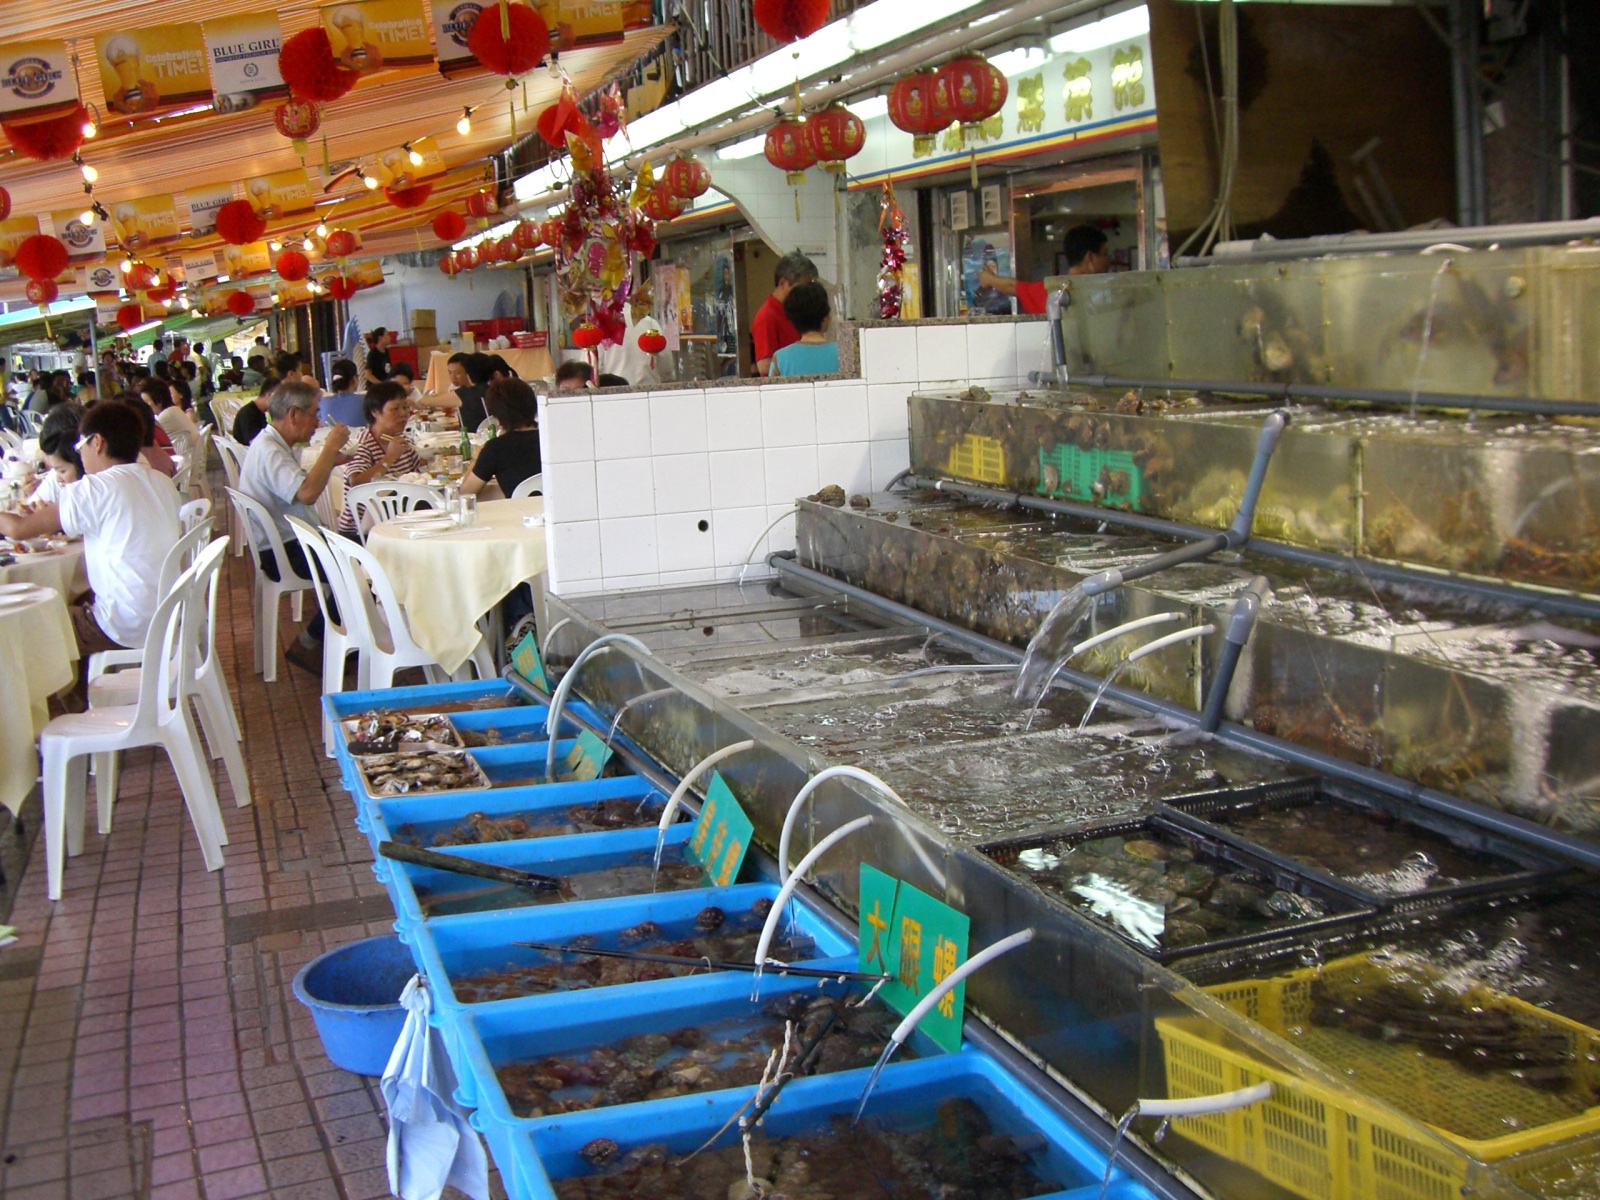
[[1572, 849]]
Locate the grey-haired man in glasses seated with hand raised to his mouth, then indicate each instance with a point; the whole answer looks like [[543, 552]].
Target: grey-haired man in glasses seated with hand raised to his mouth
[[271, 478]]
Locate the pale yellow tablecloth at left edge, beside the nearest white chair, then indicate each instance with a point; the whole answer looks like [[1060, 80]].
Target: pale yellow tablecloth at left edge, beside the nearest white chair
[[38, 657]]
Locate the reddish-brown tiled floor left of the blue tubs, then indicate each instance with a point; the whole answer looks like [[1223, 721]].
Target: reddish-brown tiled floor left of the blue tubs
[[150, 1039]]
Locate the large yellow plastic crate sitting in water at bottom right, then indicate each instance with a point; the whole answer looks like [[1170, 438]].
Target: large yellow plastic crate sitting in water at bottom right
[[1326, 1145]]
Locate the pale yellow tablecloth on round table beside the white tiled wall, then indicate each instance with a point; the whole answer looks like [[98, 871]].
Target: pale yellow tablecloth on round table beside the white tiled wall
[[447, 583]]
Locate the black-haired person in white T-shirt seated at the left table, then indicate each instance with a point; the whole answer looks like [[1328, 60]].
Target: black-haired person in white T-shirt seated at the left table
[[127, 516]]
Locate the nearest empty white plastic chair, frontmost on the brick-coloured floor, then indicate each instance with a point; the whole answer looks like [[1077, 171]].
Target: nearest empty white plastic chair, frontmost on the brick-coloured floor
[[158, 718]]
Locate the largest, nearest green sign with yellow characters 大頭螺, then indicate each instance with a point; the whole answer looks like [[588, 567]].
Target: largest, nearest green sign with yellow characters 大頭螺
[[918, 940]]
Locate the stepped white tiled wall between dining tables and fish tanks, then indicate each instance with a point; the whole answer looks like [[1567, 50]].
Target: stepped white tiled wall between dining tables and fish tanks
[[655, 489]]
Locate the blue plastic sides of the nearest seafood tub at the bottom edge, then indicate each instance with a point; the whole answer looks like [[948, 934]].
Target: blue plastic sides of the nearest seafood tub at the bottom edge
[[908, 1095]]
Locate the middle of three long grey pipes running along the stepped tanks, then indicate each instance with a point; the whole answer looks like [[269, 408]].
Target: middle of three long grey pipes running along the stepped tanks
[[1481, 590]]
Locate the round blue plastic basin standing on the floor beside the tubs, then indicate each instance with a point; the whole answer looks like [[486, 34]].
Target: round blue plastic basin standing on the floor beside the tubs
[[354, 998]]
